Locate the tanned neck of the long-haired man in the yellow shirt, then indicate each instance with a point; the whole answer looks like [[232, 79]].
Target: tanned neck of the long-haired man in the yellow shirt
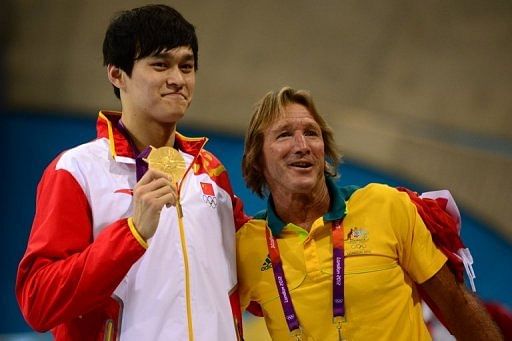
[[302, 209]]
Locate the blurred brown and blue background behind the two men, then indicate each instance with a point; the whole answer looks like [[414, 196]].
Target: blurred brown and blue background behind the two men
[[419, 94]]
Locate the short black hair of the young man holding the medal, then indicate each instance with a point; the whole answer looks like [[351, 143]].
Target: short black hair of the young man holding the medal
[[146, 31]]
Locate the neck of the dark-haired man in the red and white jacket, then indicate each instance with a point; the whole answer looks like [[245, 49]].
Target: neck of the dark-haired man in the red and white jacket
[[144, 134]]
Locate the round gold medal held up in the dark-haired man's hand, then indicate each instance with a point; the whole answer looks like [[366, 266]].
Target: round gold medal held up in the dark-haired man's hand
[[167, 160]]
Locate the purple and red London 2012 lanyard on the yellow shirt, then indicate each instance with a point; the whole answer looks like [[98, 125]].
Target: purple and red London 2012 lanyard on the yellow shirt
[[338, 282]]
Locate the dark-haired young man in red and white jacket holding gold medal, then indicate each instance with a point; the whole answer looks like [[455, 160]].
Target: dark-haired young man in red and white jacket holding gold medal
[[134, 232]]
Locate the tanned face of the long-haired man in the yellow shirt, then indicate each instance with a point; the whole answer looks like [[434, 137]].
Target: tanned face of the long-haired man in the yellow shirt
[[293, 153]]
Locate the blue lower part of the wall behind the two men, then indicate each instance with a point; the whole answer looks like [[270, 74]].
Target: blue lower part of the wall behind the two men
[[31, 141]]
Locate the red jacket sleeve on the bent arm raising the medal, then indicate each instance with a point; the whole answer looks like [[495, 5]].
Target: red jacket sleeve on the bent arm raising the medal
[[65, 272]]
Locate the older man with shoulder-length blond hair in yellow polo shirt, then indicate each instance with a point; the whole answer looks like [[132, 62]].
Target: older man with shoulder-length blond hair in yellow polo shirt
[[329, 263]]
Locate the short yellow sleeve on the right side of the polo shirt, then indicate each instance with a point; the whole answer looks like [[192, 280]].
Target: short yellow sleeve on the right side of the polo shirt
[[418, 255]]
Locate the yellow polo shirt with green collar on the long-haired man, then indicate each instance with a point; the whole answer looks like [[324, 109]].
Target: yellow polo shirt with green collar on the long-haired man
[[387, 249]]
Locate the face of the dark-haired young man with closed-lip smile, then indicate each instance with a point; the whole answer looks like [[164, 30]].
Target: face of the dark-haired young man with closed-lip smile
[[160, 87]]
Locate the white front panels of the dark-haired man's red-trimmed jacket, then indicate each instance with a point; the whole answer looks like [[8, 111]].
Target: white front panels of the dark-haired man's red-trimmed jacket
[[153, 292]]
